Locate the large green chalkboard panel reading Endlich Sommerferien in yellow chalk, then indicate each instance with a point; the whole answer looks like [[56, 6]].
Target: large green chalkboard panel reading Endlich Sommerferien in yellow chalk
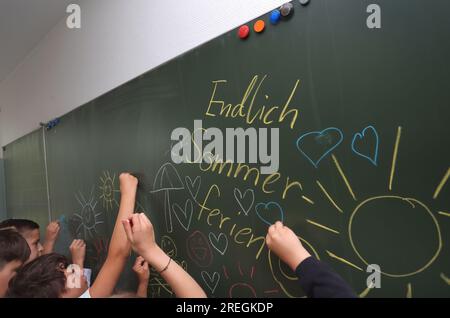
[[362, 168]]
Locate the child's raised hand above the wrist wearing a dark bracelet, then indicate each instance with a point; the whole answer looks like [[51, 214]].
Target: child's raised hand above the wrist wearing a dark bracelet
[[140, 233]]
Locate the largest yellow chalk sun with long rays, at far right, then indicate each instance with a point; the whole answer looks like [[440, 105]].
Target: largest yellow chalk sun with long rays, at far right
[[404, 241]]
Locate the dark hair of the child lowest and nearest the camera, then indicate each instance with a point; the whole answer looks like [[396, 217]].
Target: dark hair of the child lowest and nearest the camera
[[42, 278]]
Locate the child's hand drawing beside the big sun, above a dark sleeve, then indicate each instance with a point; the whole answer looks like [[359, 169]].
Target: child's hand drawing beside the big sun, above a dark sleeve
[[285, 244]]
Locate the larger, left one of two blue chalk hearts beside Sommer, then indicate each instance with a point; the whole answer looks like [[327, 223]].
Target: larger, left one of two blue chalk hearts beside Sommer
[[319, 135]]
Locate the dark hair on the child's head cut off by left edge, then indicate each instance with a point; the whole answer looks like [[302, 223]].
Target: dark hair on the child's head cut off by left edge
[[13, 247]]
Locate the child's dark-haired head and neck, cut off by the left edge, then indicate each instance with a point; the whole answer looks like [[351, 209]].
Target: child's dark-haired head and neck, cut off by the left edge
[[14, 252]]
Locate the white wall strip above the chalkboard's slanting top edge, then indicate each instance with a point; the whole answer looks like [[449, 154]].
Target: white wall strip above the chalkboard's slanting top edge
[[118, 40]]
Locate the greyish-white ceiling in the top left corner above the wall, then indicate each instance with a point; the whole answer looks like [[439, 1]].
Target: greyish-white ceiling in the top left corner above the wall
[[22, 24]]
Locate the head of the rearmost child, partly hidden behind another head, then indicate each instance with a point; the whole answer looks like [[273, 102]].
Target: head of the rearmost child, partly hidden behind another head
[[30, 231]]
